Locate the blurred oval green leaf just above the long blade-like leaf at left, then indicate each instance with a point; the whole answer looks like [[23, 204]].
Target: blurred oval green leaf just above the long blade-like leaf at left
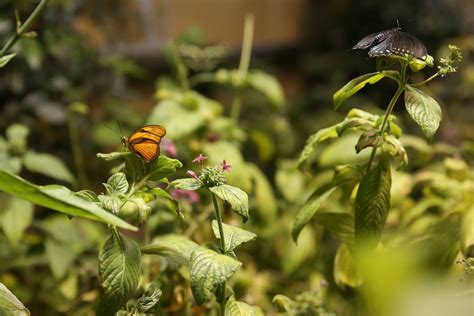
[[47, 165]]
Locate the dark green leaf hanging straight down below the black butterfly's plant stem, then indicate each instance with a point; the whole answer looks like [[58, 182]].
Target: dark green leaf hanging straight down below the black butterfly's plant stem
[[373, 203]]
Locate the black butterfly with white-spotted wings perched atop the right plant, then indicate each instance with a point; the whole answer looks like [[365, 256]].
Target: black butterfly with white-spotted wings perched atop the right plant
[[392, 42]]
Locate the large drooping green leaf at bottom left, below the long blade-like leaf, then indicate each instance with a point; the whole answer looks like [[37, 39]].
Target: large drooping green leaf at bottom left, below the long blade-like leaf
[[119, 268]]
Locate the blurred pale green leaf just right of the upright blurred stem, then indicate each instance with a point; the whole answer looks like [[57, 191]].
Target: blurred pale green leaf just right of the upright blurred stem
[[266, 84]]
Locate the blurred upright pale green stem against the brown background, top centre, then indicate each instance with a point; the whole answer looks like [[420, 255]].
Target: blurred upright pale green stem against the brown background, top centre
[[244, 64]]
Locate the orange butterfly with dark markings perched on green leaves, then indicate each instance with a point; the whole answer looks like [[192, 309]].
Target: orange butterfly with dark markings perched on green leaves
[[145, 141]]
